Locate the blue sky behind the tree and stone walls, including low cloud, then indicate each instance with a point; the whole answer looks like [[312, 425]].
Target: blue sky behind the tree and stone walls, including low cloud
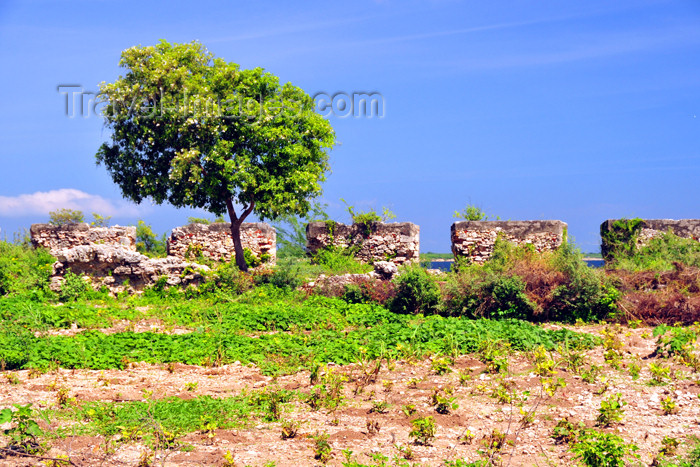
[[577, 111]]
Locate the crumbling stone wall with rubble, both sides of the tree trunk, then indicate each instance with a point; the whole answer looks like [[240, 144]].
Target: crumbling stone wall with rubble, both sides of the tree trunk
[[108, 254]]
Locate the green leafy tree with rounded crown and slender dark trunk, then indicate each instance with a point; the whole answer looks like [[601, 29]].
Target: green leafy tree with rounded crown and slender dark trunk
[[194, 130]]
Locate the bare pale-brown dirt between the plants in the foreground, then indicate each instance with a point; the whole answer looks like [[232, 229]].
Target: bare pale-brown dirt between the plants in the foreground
[[400, 383]]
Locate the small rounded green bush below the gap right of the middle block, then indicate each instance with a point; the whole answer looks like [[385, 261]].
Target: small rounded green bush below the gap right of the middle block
[[416, 292]]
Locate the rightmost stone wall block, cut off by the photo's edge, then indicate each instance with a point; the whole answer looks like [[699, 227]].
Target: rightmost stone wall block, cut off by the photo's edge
[[644, 231]]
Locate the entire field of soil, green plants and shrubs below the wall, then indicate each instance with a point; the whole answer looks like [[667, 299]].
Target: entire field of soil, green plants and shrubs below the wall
[[465, 368]]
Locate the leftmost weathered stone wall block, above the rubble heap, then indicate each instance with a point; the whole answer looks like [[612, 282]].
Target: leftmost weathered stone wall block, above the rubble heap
[[59, 237]]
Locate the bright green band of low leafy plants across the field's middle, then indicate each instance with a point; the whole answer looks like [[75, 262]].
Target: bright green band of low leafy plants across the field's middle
[[309, 332]]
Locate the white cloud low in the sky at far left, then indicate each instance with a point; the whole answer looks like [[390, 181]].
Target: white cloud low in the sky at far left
[[43, 202]]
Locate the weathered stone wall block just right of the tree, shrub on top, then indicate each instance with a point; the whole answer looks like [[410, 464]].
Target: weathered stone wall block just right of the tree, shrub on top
[[397, 242]]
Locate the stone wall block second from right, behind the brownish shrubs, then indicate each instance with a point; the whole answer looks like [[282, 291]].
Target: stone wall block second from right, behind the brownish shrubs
[[475, 239]]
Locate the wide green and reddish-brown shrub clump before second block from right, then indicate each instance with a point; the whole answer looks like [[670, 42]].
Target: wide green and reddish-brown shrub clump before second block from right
[[517, 282]]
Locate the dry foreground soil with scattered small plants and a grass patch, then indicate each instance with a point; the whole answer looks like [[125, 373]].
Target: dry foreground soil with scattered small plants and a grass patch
[[632, 399]]
